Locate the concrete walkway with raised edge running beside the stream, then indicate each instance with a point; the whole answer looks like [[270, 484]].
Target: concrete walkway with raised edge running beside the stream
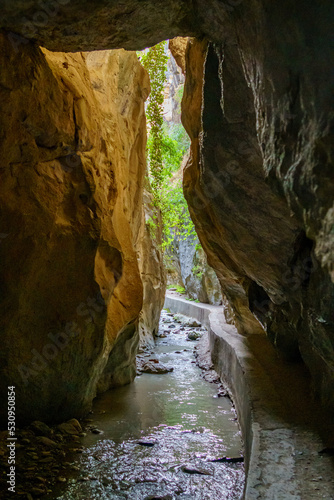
[[283, 428]]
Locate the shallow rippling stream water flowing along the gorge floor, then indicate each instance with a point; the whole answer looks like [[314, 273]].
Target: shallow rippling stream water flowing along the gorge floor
[[179, 413]]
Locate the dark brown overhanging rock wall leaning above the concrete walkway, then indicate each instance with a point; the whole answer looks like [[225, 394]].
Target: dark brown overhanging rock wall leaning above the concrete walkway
[[249, 214]]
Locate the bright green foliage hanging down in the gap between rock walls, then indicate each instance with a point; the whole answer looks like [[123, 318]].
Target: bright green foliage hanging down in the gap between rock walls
[[166, 146]]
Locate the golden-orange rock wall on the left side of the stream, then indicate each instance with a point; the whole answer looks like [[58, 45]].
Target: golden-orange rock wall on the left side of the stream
[[72, 171]]
